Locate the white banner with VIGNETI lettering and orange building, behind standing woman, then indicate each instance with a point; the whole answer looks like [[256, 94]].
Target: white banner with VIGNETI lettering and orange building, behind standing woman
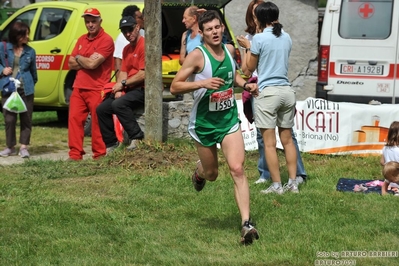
[[325, 127]]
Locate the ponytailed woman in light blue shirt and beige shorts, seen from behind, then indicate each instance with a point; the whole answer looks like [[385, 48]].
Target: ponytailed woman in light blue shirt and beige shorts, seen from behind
[[275, 105]]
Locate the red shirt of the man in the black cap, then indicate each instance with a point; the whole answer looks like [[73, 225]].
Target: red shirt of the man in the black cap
[[133, 59]]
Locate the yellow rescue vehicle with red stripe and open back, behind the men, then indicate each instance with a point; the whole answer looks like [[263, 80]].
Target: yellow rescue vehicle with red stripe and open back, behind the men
[[56, 26]]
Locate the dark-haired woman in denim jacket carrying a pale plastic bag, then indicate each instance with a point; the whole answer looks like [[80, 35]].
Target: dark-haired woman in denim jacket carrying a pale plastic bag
[[17, 58]]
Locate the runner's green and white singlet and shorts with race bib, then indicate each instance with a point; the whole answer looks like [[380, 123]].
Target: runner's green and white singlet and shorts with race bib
[[214, 113]]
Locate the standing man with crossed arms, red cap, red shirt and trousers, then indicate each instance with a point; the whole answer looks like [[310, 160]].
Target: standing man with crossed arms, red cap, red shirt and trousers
[[92, 59]]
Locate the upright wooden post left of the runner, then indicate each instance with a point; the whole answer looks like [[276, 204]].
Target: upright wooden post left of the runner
[[153, 70]]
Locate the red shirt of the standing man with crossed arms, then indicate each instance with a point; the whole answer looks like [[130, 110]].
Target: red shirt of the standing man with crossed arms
[[103, 44]]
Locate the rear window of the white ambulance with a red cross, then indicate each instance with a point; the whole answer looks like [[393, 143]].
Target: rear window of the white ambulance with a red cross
[[361, 19]]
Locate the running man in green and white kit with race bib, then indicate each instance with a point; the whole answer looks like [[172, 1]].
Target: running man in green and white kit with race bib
[[211, 75]]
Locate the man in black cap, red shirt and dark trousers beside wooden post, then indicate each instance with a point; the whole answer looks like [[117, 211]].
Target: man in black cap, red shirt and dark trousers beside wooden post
[[131, 81]]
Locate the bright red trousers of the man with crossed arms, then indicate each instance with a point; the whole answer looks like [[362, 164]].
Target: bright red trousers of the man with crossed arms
[[83, 102]]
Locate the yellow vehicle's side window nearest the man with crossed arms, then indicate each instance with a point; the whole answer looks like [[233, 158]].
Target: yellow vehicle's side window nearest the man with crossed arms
[[51, 23]]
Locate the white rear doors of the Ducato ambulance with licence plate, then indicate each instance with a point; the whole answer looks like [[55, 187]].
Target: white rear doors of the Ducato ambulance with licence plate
[[363, 52]]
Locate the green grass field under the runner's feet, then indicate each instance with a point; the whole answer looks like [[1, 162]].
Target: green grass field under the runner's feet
[[141, 209]]
